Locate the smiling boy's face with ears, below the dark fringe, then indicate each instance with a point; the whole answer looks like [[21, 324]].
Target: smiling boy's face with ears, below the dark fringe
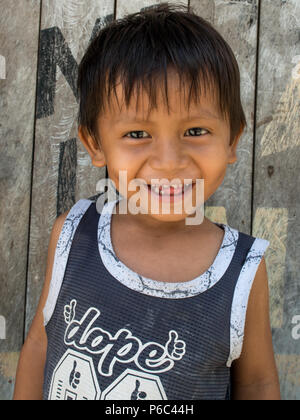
[[183, 145]]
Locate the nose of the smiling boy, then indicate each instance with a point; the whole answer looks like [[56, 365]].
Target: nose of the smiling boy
[[168, 157]]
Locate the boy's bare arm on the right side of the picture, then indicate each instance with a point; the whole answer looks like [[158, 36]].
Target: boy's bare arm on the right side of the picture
[[254, 373]]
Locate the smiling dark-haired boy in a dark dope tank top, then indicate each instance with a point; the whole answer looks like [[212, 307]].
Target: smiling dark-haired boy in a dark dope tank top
[[142, 305]]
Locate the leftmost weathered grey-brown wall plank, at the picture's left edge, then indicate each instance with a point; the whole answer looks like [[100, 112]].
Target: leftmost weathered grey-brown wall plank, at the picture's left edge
[[18, 48]]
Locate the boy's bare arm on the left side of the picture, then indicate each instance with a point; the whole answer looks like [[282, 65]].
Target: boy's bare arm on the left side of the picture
[[30, 371]]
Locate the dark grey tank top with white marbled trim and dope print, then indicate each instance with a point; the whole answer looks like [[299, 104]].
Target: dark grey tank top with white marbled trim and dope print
[[116, 335]]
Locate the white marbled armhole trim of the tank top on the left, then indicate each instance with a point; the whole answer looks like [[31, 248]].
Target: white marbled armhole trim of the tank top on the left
[[61, 256]]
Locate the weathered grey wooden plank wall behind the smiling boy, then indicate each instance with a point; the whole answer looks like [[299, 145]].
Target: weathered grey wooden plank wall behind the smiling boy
[[44, 168]]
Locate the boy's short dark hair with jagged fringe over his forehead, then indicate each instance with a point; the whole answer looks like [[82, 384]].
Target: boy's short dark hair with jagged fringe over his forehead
[[140, 48]]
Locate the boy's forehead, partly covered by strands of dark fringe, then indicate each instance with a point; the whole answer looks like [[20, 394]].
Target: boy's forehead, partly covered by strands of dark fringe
[[171, 96]]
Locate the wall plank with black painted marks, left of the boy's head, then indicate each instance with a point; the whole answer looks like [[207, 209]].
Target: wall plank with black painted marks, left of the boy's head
[[63, 172]]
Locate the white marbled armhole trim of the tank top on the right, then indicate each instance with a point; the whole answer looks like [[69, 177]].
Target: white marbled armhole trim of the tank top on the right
[[241, 297]]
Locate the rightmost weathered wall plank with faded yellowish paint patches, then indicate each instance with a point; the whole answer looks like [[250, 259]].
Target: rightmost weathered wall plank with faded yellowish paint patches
[[276, 192]]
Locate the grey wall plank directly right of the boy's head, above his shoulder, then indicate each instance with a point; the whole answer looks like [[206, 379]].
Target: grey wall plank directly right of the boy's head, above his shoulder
[[237, 23]]
